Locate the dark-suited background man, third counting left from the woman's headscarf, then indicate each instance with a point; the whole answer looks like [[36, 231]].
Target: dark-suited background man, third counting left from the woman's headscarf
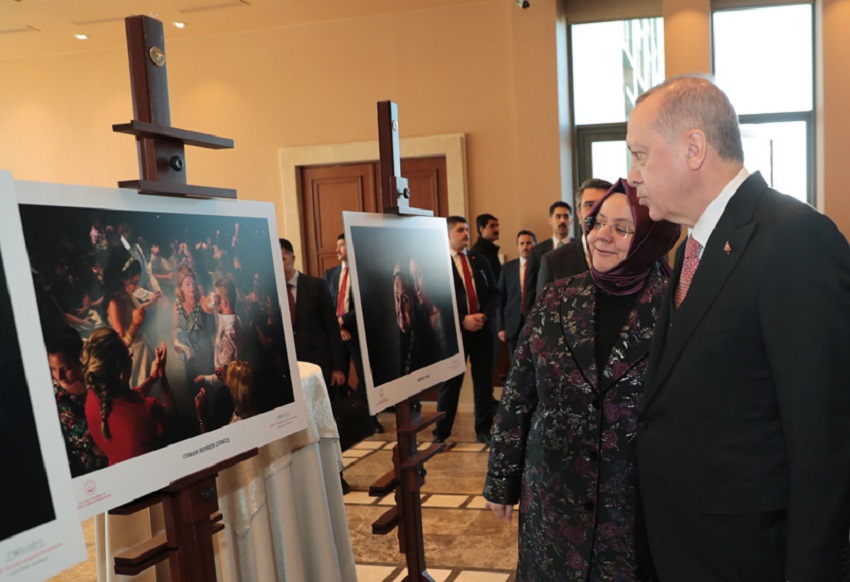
[[513, 286]]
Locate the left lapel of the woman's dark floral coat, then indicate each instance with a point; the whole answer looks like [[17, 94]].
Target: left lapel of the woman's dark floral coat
[[578, 326]]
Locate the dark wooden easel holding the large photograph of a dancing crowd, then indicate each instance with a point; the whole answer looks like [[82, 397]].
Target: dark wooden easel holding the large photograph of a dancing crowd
[[190, 504]]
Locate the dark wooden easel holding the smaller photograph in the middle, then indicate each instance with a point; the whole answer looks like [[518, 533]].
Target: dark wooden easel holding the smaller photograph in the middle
[[408, 473]]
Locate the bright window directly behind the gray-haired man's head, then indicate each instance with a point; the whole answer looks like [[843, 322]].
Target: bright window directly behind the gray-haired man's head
[[764, 61]]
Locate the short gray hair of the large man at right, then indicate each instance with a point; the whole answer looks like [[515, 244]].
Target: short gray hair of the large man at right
[[694, 101]]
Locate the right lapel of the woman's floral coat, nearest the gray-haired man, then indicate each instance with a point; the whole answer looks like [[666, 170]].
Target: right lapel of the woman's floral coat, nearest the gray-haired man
[[633, 345]]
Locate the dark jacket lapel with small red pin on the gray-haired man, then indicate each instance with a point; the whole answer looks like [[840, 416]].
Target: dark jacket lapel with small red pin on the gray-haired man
[[735, 227]]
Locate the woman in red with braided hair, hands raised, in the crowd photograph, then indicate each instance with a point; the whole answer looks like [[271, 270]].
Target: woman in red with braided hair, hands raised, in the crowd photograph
[[123, 420]]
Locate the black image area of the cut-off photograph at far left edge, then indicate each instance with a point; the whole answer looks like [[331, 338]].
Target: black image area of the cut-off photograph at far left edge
[[24, 490]]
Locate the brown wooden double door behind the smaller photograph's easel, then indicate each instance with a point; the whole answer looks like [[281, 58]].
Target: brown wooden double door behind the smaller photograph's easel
[[326, 191]]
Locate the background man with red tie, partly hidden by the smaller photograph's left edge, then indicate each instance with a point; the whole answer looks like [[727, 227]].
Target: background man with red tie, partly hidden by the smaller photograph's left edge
[[338, 280]]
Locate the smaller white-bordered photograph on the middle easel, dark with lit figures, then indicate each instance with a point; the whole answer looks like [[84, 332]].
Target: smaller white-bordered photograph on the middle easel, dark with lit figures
[[404, 297]]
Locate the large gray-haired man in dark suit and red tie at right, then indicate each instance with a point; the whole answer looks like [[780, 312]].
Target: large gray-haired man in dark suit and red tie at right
[[744, 434]]
